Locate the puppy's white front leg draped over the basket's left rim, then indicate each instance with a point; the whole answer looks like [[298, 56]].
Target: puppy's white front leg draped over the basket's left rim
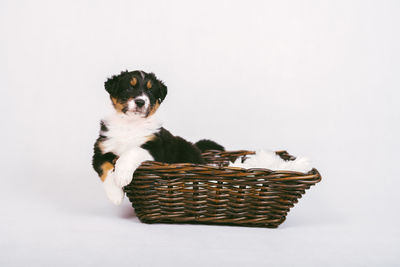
[[127, 163]]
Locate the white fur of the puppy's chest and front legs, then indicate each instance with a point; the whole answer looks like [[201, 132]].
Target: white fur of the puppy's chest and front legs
[[124, 137]]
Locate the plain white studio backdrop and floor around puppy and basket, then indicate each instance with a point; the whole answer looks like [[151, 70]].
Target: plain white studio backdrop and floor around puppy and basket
[[317, 78]]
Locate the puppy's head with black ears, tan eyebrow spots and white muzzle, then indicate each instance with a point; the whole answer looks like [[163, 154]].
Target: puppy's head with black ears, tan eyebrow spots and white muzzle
[[136, 93]]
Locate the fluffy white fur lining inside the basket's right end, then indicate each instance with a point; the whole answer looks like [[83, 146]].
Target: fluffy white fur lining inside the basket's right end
[[269, 160]]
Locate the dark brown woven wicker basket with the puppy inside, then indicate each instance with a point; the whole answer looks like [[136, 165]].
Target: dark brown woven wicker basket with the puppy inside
[[216, 194]]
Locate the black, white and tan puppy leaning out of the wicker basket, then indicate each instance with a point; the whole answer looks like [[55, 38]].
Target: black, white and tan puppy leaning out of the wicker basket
[[133, 134]]
